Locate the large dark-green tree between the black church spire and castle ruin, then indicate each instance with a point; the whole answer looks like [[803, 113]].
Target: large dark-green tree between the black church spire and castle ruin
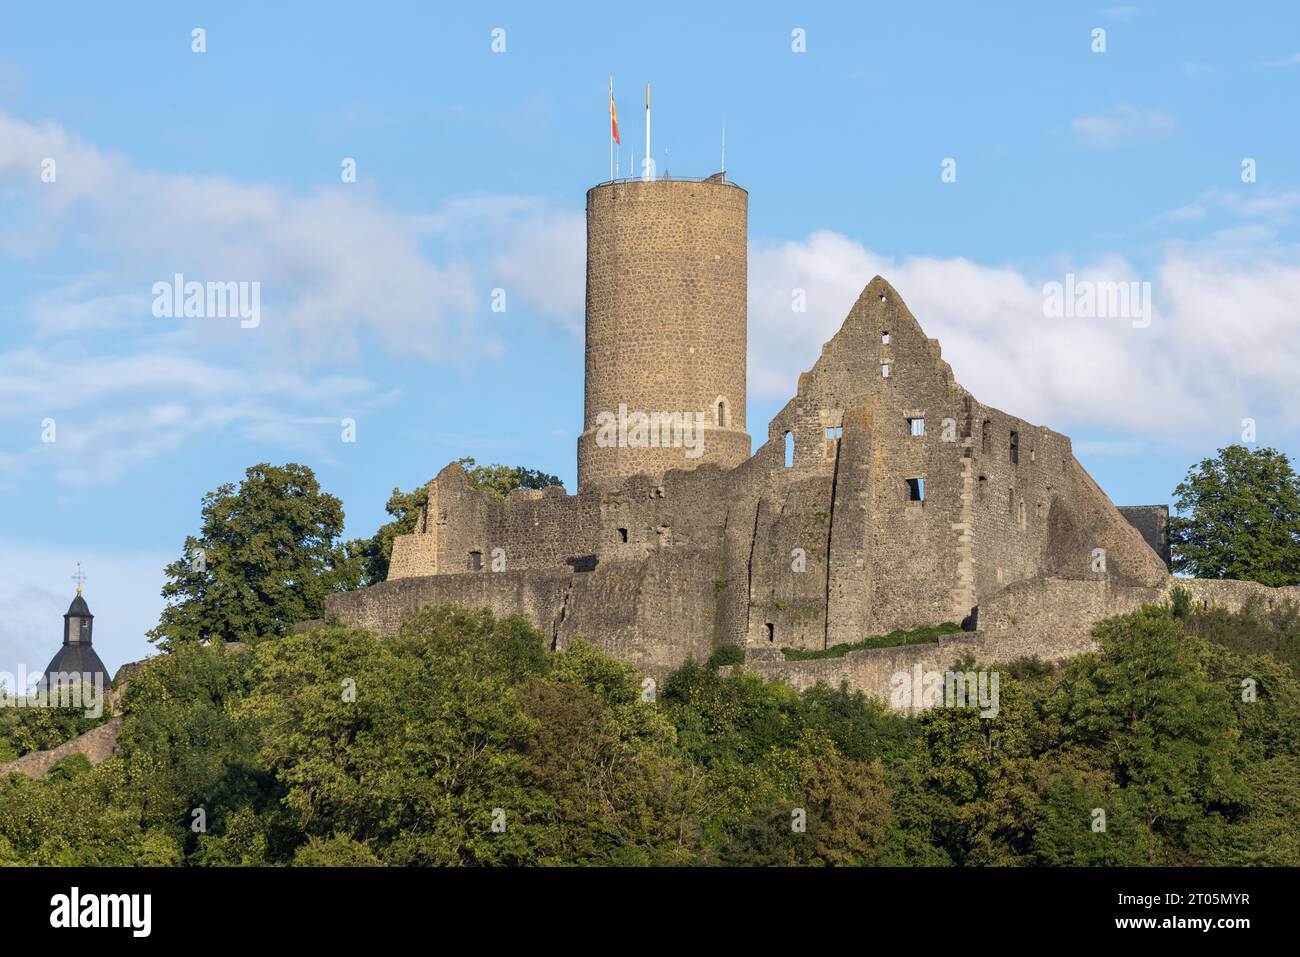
[[265, 558]]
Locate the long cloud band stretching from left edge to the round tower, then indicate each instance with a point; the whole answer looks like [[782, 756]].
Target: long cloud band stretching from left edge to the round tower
[[331, 265]]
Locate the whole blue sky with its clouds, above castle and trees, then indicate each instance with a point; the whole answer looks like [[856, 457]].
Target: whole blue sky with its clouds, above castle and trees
[[473, 168]]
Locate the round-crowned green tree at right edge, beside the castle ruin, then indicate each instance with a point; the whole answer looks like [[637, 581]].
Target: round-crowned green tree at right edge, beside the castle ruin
[[1240, 518]]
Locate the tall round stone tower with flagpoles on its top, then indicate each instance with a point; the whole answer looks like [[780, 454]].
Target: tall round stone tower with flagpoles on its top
[[666, 314]]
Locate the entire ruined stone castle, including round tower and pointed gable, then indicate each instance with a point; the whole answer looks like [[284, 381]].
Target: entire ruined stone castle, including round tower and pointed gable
[[886, 495]]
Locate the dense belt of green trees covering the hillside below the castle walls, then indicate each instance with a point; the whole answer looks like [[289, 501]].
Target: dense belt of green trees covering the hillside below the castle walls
[[463, 742]]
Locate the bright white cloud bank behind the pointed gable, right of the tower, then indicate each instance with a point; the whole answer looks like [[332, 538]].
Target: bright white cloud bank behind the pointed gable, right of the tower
[[1221, 344]]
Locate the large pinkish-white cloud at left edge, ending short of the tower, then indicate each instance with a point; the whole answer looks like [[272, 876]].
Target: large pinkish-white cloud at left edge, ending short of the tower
[[331, 265]]
